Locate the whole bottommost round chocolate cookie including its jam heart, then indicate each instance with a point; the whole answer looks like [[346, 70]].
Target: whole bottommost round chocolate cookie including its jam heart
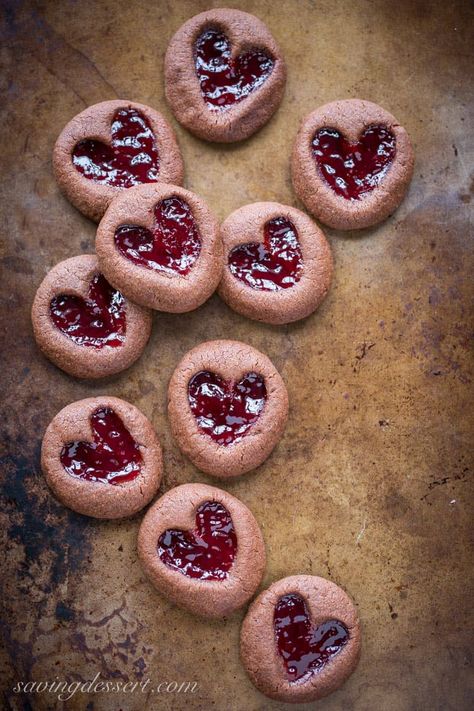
[[301, 639]]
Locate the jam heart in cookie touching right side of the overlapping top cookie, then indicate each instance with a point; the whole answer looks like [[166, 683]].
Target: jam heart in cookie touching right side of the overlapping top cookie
[[272, 265]]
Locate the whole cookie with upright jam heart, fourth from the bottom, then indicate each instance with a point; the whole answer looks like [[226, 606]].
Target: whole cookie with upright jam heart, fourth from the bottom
[[227, 406]]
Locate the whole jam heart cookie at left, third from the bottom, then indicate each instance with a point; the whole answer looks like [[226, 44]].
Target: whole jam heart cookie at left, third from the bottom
[[101, 457]]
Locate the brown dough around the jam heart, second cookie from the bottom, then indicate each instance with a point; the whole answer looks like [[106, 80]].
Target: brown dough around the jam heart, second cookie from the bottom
[[207, 598]]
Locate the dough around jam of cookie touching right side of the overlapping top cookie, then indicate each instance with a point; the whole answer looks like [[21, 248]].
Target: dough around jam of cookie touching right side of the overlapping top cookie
[[283, 305]]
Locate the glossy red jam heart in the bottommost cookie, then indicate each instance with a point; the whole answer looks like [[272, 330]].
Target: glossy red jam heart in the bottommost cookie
[[305, 649]]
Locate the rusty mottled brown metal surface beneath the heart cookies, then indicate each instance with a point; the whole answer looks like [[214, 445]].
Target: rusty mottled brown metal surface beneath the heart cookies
[[369, 486]]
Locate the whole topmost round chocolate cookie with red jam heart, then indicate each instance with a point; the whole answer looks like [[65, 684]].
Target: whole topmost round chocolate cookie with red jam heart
[[224, 75]]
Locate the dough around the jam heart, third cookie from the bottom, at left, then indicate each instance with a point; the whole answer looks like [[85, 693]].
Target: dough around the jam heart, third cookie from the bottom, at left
[[95, 498]]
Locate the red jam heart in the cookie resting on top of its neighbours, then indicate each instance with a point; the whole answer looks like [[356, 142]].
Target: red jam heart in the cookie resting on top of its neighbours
[[172, 246]]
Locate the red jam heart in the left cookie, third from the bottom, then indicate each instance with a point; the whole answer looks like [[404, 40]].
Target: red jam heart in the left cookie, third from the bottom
[[113, 457]]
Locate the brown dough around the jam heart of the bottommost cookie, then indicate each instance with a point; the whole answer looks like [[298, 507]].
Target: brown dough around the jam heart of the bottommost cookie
[[258, 648]]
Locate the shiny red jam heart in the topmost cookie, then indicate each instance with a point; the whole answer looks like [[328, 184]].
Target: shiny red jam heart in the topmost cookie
[[225, 81]]
